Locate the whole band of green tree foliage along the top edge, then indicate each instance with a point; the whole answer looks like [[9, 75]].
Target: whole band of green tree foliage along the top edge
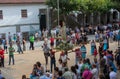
[[85, 5]]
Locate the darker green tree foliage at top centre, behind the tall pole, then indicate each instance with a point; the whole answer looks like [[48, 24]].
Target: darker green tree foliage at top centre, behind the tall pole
[[65, 6]]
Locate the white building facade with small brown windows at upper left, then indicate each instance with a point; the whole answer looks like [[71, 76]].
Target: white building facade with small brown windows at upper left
[[21, 18]]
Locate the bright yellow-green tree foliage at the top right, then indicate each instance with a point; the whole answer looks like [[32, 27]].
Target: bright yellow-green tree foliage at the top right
[[94, 5]]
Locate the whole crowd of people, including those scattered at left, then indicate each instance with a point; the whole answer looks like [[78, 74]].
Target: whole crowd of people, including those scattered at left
[[102, 66]]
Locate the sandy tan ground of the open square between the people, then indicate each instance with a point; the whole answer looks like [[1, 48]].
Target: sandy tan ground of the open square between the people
[[24, 62]]
